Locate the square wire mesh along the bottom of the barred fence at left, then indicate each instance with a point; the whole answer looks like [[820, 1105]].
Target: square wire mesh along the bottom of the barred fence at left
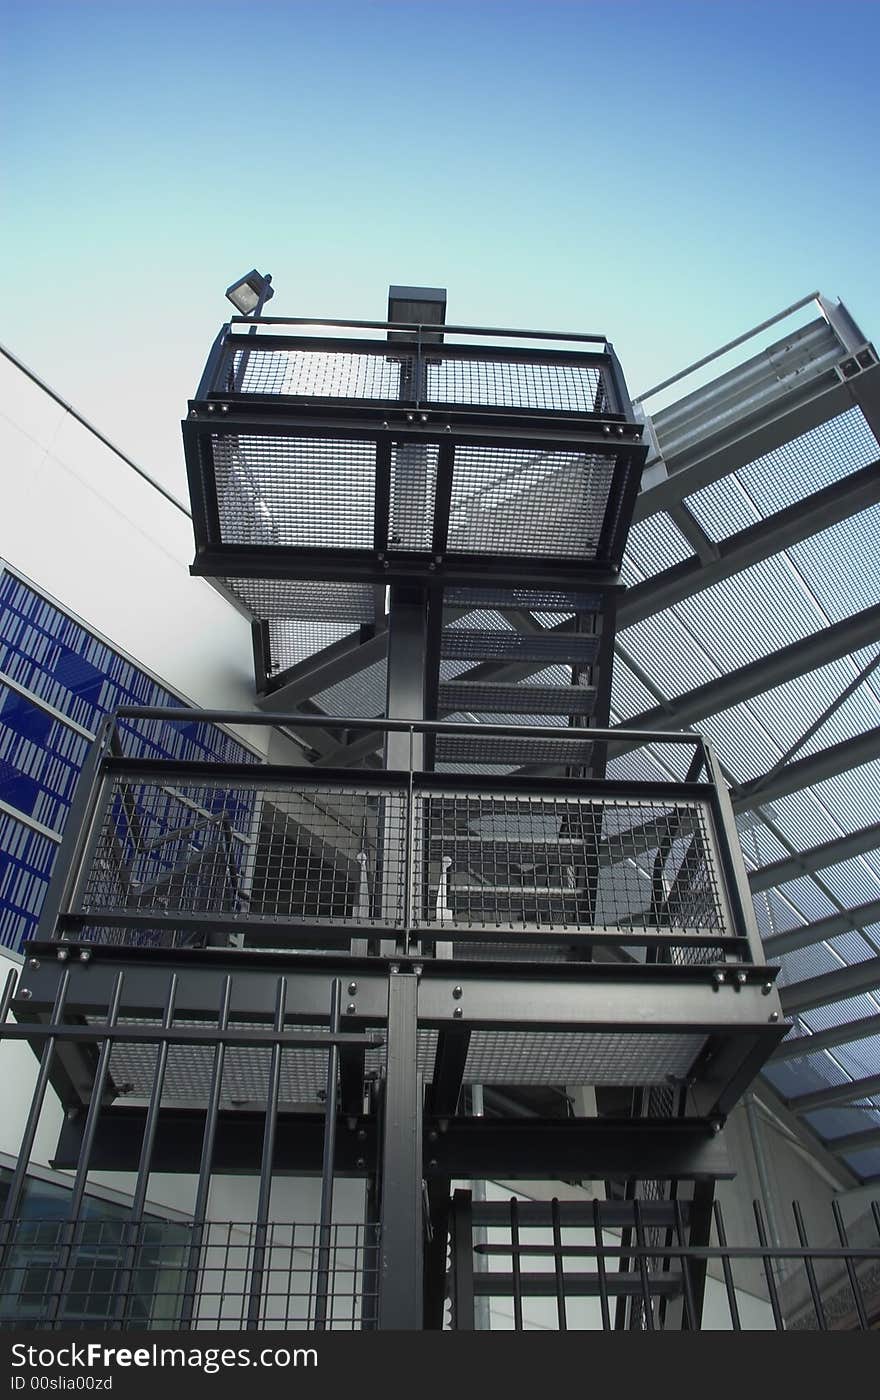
[[169, 1275]]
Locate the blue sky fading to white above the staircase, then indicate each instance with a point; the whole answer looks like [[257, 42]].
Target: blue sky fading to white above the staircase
[[664, 173]]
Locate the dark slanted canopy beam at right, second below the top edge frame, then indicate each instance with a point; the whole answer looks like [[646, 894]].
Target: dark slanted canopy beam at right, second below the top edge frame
[[786, 664]]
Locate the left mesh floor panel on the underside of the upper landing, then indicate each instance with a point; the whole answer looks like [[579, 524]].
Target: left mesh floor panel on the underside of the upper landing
[[294, 492]]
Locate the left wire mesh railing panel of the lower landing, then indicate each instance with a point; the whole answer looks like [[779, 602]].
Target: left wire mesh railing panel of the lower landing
[[267, 853]]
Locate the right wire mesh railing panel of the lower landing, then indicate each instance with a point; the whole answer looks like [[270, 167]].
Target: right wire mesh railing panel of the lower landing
[[555, 863]]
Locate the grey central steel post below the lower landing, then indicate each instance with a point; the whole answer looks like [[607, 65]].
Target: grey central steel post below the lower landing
[[401, 1269]]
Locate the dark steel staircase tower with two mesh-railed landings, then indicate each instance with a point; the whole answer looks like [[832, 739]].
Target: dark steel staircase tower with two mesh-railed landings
[[454, 892]]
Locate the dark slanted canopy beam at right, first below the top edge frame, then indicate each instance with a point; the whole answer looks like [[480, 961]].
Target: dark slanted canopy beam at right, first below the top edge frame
[[748, 547]]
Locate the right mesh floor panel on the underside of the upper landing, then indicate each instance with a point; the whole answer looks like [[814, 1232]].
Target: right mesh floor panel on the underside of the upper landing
[[530, 502]]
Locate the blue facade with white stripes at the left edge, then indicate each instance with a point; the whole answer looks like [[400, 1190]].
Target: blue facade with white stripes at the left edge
[[62, 664]]
